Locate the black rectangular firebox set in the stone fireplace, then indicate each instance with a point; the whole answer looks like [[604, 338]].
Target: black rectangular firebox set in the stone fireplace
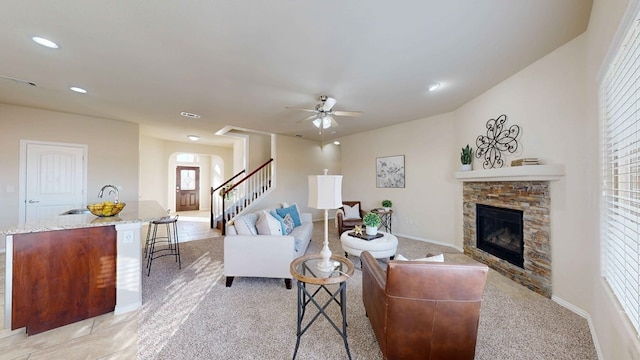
[[499, 232]]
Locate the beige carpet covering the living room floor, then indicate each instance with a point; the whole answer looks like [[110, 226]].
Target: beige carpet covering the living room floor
[[190, 314]]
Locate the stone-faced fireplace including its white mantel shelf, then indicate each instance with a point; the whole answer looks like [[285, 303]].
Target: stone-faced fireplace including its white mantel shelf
[[518, 193]]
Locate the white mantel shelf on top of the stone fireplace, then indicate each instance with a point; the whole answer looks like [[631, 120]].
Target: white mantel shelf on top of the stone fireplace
[[514, 173]]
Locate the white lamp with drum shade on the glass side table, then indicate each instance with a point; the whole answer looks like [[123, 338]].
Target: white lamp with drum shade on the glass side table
[[325, 192]]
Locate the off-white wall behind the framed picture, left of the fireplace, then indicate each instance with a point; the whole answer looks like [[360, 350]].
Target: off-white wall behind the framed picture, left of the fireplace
[[424, 208]]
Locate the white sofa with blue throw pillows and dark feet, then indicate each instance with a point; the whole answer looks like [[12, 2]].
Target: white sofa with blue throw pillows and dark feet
[[264, 255]]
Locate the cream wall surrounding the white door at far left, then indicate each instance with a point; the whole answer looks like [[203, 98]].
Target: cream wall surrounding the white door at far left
[[112, 151]]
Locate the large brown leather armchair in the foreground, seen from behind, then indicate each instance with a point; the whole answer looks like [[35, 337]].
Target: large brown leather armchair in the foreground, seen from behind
[[423, 310]]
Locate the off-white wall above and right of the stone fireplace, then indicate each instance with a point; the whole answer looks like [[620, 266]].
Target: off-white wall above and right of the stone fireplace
[[547, 101]]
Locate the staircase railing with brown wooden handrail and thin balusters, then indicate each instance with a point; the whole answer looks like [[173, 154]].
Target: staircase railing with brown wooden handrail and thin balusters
[[237, 195]]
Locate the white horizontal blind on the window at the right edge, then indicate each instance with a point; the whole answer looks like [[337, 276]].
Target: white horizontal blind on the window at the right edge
[[620, 220]]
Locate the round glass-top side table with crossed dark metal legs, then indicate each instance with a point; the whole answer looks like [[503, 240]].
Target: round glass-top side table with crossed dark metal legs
[[313, 282]]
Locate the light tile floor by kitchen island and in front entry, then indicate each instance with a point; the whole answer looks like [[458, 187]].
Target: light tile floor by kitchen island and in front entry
[[103, 337]]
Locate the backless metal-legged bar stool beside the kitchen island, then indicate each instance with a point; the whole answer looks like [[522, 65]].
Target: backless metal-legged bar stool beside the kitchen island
[[173, 246]]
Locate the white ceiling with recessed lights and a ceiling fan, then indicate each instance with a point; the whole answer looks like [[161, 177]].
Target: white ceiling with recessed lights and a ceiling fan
[[240, 63]]
